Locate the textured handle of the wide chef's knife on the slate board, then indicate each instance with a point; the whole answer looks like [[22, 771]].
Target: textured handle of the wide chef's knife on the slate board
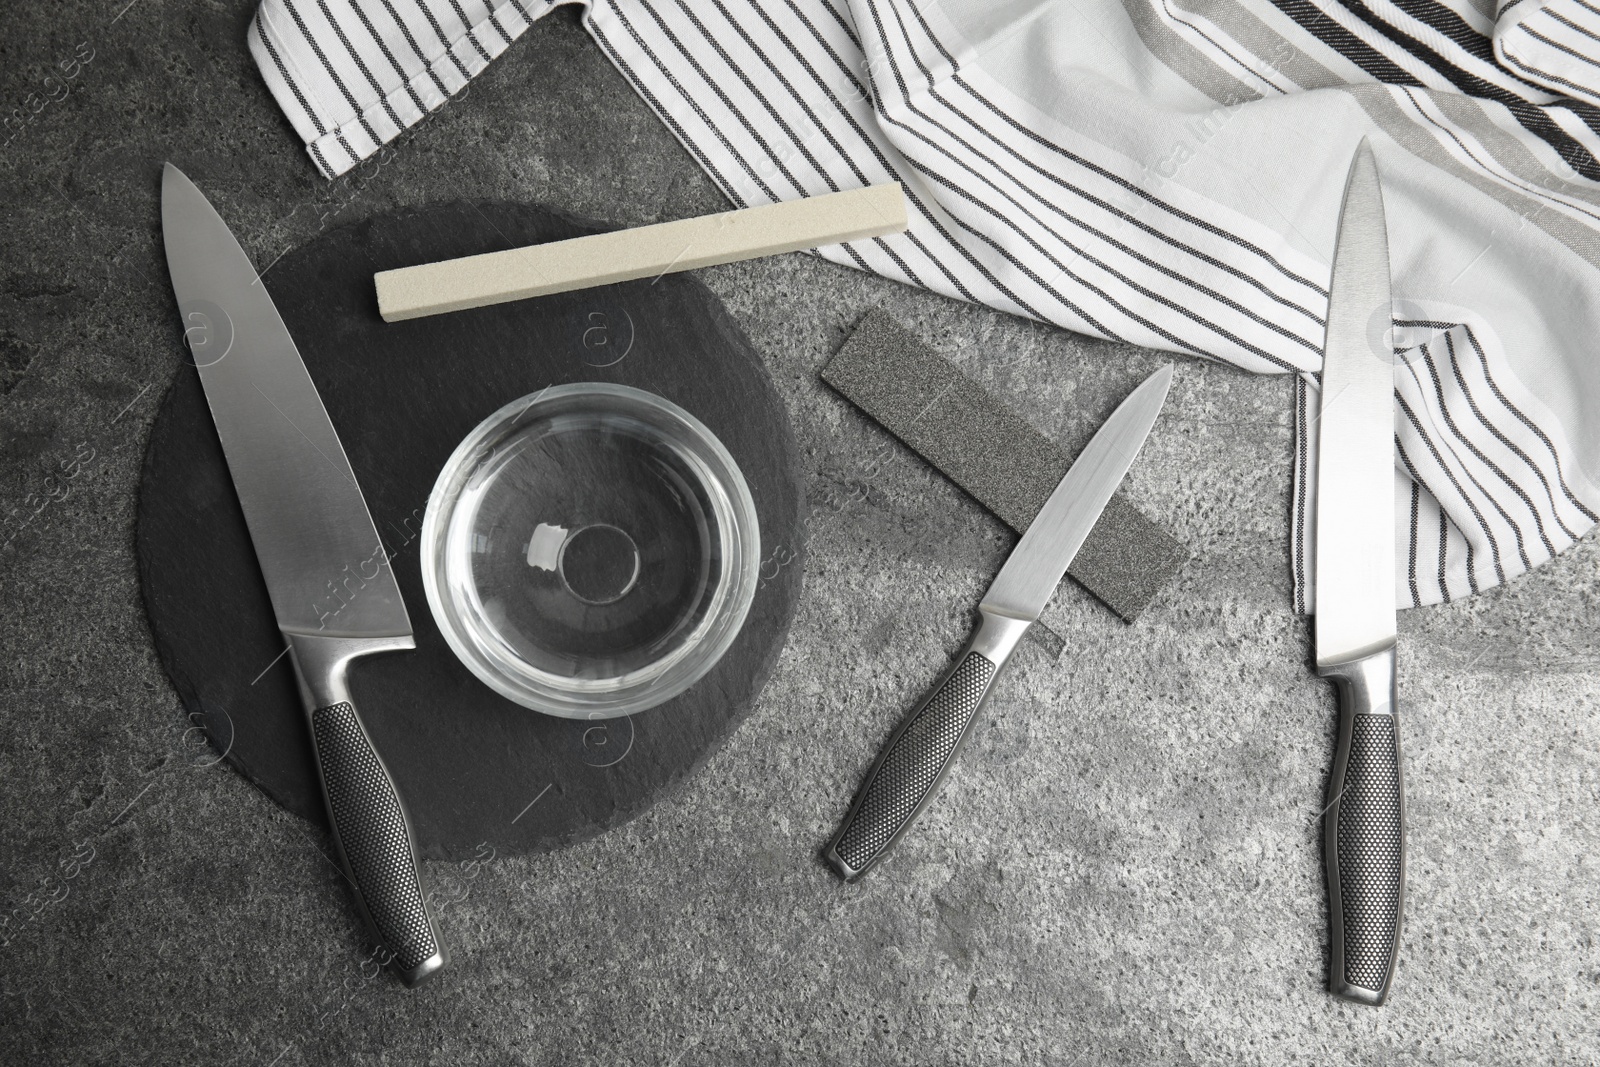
[[370, 823]]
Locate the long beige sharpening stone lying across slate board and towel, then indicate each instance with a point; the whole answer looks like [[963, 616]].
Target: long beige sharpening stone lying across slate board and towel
[[644, 252]]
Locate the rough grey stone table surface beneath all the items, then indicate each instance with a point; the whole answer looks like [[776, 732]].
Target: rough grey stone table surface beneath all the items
[[1124, 871]]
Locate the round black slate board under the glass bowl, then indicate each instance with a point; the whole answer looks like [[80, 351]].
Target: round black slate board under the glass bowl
[[471, 765]]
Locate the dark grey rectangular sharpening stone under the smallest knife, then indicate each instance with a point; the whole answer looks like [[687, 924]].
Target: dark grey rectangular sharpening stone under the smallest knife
[[1002, 462]]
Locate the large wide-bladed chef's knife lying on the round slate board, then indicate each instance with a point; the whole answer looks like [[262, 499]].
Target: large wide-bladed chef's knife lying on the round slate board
[[313, 535]]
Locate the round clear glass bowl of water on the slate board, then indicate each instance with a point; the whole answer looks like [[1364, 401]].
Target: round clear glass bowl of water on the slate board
[[591, 551]]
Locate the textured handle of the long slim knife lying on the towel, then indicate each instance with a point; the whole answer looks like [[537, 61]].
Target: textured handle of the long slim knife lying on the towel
[[1364, 833]]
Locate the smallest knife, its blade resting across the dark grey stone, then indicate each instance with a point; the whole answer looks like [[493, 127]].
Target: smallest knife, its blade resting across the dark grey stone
[[921, 753]]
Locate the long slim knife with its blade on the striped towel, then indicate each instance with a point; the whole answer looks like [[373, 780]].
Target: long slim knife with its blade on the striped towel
[[1364, 833]]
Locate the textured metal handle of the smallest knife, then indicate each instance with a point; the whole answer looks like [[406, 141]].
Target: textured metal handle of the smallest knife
[[921, 753]]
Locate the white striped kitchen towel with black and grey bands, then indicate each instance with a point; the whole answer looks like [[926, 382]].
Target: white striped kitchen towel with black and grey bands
[[1161, 172]]
